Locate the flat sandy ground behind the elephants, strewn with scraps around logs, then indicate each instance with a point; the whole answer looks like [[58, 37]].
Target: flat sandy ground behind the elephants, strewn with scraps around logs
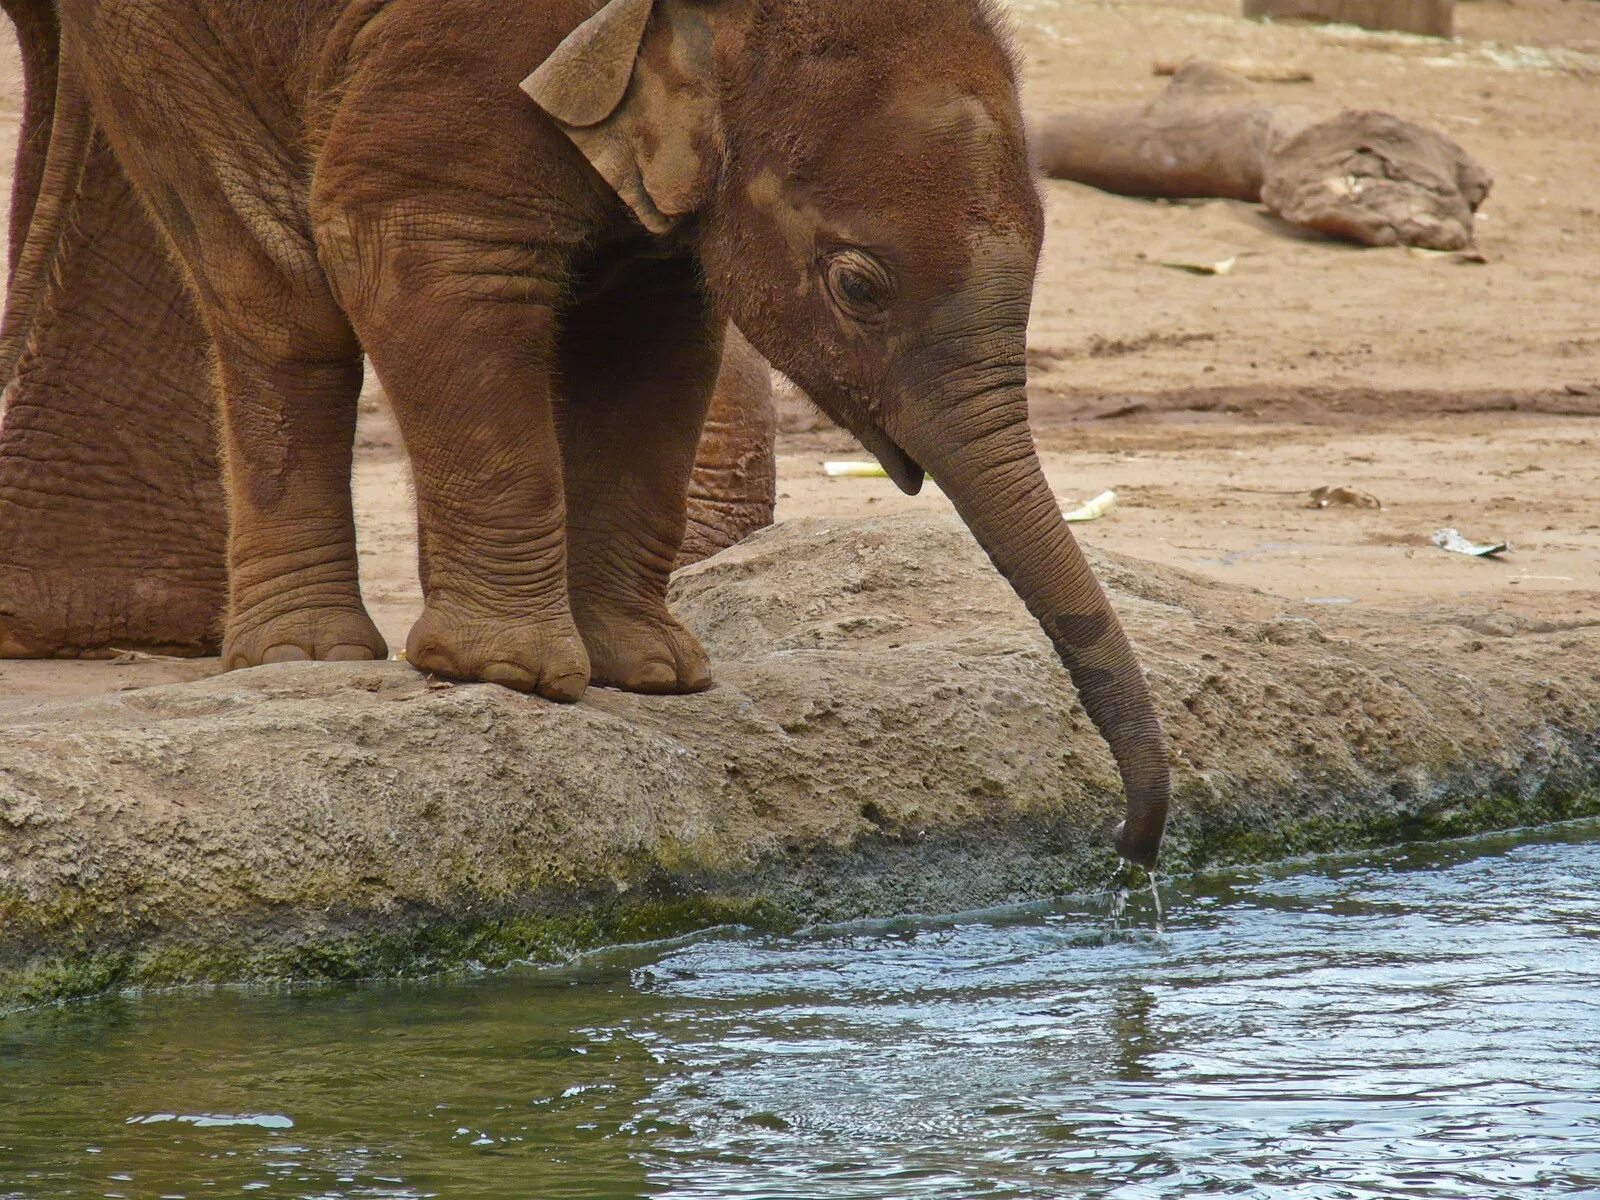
[[1462, 396]]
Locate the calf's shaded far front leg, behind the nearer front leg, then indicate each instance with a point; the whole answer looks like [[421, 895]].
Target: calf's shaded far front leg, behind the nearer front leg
[[639, 366]]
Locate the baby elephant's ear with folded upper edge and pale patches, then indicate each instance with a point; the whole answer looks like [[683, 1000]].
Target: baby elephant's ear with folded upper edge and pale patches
[[634, 90]]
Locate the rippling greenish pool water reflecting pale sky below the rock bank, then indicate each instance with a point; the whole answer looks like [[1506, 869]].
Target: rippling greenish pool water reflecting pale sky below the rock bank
[[1415, 1025]]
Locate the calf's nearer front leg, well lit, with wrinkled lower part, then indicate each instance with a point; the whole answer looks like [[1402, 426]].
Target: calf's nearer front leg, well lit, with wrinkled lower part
[[465, 354]]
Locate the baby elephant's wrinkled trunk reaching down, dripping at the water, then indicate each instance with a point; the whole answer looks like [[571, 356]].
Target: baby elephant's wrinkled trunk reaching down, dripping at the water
[[993, 474]]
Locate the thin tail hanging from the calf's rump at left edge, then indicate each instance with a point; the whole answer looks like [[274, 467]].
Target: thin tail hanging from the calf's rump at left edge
[[71, 134]]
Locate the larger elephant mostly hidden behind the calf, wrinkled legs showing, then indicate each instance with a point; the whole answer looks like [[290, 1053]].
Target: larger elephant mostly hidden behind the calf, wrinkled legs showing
[[113, 519]]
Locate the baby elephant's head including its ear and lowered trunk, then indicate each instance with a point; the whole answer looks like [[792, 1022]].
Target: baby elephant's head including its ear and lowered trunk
[[857, 183]]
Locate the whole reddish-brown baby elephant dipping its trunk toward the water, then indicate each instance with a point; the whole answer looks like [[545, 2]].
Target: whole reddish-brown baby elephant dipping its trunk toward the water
[[543, 289]]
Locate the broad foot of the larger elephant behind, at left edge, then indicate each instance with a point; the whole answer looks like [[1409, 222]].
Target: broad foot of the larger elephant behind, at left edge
[[47, 615]]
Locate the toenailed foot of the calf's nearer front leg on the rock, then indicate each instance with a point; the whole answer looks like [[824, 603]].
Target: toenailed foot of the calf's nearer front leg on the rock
[[545, 658]]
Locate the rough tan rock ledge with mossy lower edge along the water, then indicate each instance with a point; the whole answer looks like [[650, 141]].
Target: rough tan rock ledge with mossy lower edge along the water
[[890, 734]]
